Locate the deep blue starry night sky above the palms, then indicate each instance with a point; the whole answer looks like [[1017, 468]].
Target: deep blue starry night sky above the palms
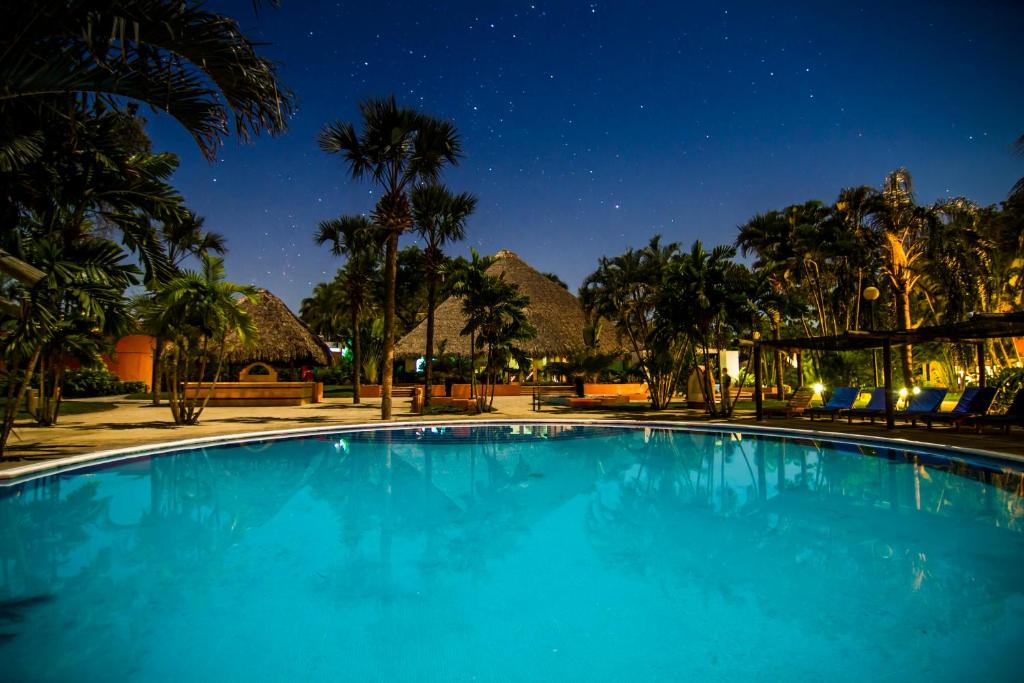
[[589, 127]]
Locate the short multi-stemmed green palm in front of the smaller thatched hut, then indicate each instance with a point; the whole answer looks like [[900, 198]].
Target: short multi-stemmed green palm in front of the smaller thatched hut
[[199, 310]]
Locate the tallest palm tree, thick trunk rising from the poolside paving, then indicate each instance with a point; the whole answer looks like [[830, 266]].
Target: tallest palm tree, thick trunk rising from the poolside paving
[[399, 148]]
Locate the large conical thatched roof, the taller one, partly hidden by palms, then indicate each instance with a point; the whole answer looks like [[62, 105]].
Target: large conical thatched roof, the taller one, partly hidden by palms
[[553, 312]]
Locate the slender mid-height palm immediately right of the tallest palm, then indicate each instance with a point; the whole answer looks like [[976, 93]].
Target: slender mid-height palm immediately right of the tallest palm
[[440, 219]]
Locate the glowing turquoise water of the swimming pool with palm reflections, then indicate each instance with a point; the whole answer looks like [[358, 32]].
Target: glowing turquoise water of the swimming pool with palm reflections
[[517, 554]]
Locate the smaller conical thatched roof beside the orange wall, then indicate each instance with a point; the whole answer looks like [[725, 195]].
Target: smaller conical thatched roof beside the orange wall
[[283, 338]]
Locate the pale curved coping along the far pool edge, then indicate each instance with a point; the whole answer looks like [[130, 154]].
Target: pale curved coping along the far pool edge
[[16, 476]]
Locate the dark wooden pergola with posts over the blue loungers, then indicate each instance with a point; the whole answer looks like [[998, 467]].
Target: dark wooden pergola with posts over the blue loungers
[[976, 330]]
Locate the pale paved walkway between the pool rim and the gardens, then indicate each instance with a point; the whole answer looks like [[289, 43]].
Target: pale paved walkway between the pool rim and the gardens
[[133, 423]]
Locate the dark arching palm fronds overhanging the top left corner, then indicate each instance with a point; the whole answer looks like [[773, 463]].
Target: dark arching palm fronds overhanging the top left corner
[[179, 58]]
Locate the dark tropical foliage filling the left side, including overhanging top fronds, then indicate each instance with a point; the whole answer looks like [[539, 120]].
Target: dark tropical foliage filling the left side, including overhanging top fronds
[[83, 197]]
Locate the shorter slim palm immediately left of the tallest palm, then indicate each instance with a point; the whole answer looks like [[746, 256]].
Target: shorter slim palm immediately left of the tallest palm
[[356, 239]]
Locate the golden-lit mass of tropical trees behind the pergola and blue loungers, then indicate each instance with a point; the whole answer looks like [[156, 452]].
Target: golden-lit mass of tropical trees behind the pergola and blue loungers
[[933, 264]]
